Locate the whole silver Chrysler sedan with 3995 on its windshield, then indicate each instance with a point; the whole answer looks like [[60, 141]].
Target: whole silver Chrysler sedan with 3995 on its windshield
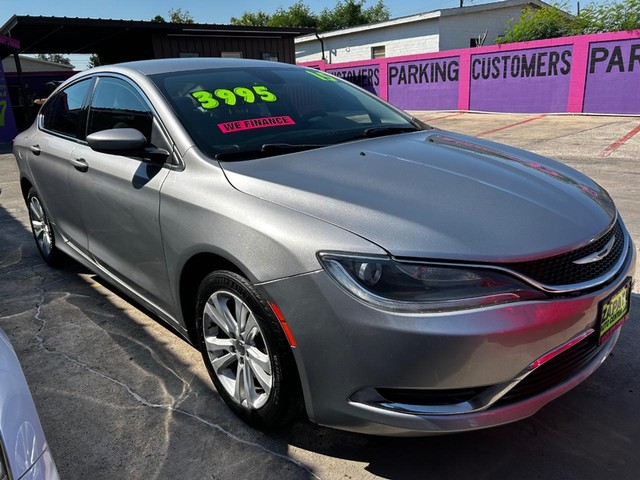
[[327, 252]]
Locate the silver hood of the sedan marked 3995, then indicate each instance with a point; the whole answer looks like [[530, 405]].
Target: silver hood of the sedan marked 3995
[[435, 194]]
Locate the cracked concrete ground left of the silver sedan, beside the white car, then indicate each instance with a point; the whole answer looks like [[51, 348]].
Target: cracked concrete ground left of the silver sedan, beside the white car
[[118, 394]]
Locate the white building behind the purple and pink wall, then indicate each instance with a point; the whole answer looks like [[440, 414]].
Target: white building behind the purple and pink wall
[[428, 32]]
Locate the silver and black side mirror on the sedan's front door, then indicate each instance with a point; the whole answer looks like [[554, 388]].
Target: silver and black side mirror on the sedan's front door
[[125, 141]]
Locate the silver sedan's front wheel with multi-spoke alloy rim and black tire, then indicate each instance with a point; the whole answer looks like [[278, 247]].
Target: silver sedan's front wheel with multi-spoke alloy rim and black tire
[[246, 353]]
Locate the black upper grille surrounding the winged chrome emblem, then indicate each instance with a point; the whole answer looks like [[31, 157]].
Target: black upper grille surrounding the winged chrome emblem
[[560, 269]]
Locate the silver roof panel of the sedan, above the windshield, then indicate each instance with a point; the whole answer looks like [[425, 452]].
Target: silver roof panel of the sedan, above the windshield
[[165, 65]]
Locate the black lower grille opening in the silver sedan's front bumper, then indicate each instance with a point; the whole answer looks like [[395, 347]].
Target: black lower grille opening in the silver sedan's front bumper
[[554, 372]]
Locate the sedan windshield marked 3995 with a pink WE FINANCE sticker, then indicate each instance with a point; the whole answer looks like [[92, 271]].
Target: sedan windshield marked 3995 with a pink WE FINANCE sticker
[[248, 112]]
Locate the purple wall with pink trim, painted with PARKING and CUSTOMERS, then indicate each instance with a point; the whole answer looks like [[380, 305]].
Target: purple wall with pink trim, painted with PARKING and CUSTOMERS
[[588, 73]]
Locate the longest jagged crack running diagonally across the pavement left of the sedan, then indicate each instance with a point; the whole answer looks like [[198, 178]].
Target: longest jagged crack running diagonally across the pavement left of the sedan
[[40, 343]]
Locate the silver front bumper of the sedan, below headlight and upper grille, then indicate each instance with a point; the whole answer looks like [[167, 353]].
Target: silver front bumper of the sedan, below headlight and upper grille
[[349, 355]]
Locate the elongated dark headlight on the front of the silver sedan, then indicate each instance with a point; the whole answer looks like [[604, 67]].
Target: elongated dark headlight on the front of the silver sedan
[[417, 287]]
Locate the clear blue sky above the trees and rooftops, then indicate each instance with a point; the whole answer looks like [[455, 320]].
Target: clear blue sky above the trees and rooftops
[[202, 11]]
